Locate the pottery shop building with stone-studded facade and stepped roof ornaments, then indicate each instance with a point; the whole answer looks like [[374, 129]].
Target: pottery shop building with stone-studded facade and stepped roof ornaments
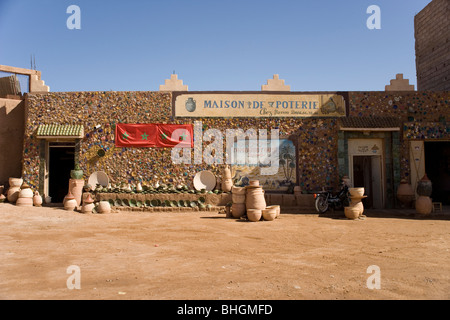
[[375, 138]]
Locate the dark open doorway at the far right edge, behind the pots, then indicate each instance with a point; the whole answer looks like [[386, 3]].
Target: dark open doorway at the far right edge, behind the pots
[[437, 168]]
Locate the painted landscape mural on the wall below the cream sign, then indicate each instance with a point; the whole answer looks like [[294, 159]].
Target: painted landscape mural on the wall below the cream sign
[[282, 180]]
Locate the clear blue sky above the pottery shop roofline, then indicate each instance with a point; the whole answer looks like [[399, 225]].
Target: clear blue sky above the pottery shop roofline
[[321, 45]]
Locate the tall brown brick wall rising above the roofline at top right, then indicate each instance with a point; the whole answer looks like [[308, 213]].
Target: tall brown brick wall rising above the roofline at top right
[[431, 31]]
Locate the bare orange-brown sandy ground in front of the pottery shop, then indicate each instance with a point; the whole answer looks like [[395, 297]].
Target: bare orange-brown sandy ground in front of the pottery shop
[[203, 255]]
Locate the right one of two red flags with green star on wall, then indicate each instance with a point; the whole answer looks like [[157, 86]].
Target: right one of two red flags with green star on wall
[[173, 135]]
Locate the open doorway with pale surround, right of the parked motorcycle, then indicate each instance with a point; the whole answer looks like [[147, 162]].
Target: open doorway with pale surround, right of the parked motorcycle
[[367, 173]]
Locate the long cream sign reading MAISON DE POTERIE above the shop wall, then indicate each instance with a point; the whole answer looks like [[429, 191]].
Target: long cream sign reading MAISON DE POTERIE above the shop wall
[[258, 105]]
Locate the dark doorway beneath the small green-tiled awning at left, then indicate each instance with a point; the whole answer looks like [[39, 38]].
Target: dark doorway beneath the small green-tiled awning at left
[[61, 162]]
